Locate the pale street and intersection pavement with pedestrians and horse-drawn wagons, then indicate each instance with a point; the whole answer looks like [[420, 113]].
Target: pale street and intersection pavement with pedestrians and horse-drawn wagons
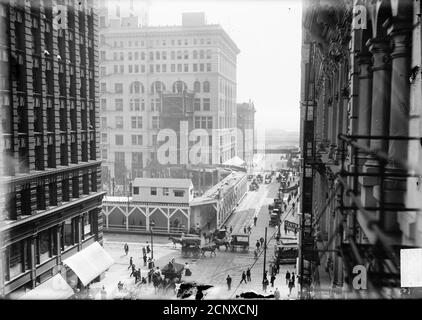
[[207, 270]]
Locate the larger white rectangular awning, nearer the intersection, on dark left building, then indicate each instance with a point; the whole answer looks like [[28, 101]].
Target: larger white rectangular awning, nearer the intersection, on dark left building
[[89, 263]]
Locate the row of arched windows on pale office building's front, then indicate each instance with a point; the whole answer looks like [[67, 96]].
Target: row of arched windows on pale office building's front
[[137, 87]]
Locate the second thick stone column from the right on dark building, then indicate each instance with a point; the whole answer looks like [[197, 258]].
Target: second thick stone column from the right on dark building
[[380, 115]]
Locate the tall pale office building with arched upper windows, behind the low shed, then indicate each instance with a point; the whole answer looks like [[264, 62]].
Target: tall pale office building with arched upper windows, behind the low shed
[[145, 72]]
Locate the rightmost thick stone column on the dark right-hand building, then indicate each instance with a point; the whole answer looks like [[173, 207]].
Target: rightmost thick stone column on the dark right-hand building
[[395, 188]]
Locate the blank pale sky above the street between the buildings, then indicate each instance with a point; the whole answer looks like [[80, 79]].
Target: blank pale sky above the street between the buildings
[[268, 34]]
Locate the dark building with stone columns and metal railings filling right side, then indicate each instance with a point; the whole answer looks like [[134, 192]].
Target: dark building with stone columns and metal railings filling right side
[[361, 145]]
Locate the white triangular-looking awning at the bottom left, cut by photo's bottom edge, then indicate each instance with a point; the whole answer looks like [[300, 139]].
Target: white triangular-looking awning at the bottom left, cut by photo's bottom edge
[[55, 288]]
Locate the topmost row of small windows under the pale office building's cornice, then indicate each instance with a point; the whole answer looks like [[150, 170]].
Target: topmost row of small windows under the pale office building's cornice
[[158, 55]]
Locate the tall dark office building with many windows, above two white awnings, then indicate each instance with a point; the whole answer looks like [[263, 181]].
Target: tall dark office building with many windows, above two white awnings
[[51, 162]]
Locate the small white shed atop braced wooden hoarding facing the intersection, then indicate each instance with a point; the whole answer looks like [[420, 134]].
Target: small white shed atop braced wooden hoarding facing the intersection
[[158, 202]]
